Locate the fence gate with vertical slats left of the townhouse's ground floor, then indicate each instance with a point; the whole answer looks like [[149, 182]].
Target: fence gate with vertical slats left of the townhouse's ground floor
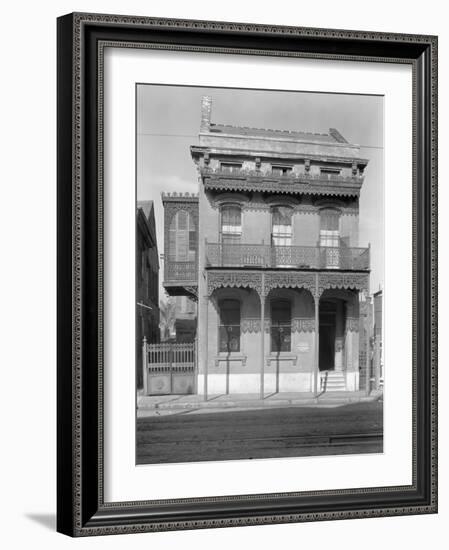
[[169, 369]]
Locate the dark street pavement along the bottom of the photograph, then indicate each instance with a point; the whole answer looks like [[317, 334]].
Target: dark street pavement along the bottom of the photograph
[[286, 431]]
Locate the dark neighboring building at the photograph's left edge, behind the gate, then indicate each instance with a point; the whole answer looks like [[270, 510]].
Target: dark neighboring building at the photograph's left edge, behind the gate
[[147, 282]]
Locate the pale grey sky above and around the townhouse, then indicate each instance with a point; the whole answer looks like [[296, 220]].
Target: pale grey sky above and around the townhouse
[[168, 123]]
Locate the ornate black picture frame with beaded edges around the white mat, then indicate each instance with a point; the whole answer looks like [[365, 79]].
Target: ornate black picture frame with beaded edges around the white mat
[[81, 507]]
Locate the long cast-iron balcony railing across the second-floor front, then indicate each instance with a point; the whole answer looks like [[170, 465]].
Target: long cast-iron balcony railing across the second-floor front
[[295, 257]]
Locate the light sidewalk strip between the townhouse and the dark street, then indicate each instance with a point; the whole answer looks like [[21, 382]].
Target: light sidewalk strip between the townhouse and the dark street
[[157, 403]]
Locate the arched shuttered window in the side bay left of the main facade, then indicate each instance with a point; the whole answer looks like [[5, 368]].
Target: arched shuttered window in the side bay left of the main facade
[[182, 237]]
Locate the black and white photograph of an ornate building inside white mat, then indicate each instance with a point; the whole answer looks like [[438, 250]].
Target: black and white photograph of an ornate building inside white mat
[[259, 274]]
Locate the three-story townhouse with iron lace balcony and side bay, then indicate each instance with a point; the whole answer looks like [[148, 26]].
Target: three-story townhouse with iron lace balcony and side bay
[[270, 250]]
